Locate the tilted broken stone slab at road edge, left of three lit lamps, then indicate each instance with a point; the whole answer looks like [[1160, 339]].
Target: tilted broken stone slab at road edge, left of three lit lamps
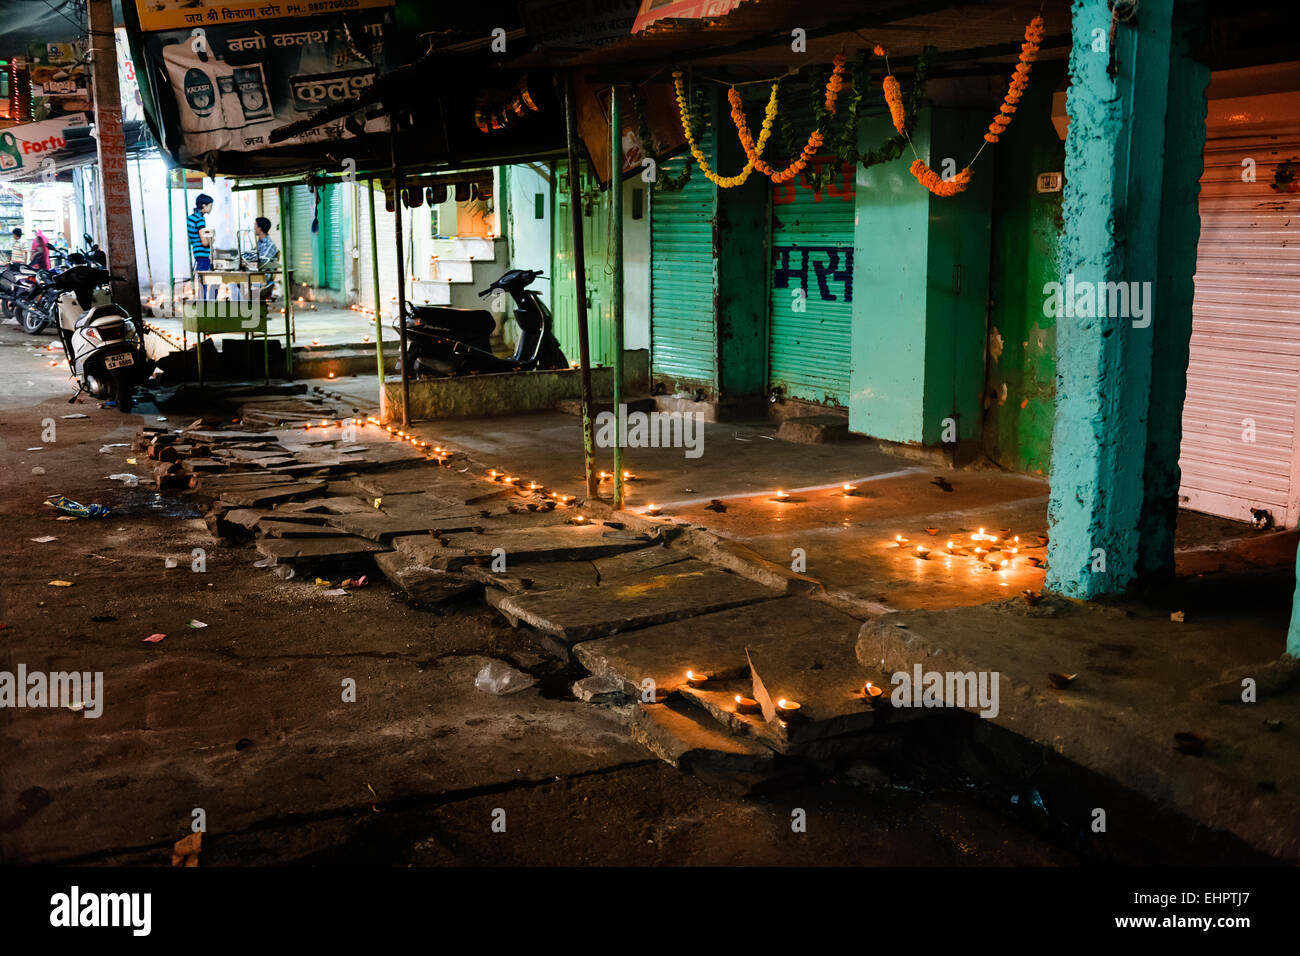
[[688, 739]]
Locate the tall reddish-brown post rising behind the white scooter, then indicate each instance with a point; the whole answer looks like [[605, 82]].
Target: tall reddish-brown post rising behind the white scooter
[[115, 185]]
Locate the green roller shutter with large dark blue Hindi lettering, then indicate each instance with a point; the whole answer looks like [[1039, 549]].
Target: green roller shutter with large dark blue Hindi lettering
[[809, 352]]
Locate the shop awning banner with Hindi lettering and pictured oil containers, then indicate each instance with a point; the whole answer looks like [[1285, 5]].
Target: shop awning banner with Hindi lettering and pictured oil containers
[[237, 73]]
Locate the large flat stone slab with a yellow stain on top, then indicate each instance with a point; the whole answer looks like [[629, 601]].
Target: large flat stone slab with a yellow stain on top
[[686, 590]]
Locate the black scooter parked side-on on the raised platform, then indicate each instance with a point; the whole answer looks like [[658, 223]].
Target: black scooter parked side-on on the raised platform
[[444, 341]]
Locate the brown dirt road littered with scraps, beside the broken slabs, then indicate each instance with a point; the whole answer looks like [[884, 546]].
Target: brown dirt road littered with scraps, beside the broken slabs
[[245, 720]]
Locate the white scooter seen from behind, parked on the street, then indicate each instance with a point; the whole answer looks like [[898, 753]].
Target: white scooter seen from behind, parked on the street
[[102, 341]]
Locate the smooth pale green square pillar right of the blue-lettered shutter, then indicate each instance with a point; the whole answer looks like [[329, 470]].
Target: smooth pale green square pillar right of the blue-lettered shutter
[[921, 288]]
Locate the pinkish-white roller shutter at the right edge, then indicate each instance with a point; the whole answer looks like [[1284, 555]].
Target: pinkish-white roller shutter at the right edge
[[1245, 365]]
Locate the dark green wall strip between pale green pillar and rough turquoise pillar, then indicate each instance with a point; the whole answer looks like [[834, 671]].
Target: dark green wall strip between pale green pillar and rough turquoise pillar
[[1020, 396]]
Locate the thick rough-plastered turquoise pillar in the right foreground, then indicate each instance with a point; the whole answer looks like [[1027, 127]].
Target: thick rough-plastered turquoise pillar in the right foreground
[[1124, 304]]
